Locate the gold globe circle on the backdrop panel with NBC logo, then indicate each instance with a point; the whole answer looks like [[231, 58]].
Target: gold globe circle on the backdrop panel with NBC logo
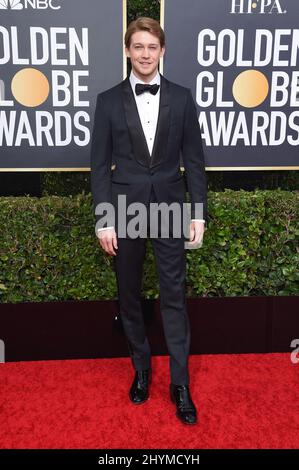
[[30, 87]]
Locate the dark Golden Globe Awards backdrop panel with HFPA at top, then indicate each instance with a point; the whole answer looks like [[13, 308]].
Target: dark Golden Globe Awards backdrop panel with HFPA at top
[[240, 59]]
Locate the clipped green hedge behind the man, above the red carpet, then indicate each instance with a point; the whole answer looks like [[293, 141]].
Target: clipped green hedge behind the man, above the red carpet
[[48, 250]]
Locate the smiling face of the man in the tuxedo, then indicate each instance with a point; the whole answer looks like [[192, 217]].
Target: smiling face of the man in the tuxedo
[[145, 52]]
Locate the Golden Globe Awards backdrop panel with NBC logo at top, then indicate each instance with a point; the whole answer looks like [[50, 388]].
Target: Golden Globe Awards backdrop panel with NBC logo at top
[[55, 56]]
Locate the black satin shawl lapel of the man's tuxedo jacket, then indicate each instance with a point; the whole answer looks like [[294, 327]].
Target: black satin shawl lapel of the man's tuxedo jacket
[[140, 148]]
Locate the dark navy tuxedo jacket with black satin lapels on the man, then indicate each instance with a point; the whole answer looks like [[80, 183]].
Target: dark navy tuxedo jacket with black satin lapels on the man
[[118, 139]]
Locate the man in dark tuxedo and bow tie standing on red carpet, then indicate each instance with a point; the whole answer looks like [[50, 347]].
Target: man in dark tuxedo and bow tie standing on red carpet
[[143, 125]]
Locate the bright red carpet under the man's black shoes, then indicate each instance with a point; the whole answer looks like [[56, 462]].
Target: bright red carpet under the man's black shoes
[[244, 401]]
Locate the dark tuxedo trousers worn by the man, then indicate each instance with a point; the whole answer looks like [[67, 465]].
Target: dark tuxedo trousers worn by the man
[[171, 268]]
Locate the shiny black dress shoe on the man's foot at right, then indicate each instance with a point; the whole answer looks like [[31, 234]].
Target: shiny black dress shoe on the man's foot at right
[[186, 411]]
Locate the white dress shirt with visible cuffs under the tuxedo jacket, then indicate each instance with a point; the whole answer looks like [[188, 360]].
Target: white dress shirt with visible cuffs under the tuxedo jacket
[[148, 110]]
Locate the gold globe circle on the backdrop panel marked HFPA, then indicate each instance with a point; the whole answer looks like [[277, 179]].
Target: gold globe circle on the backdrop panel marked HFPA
[[250, 88]]
